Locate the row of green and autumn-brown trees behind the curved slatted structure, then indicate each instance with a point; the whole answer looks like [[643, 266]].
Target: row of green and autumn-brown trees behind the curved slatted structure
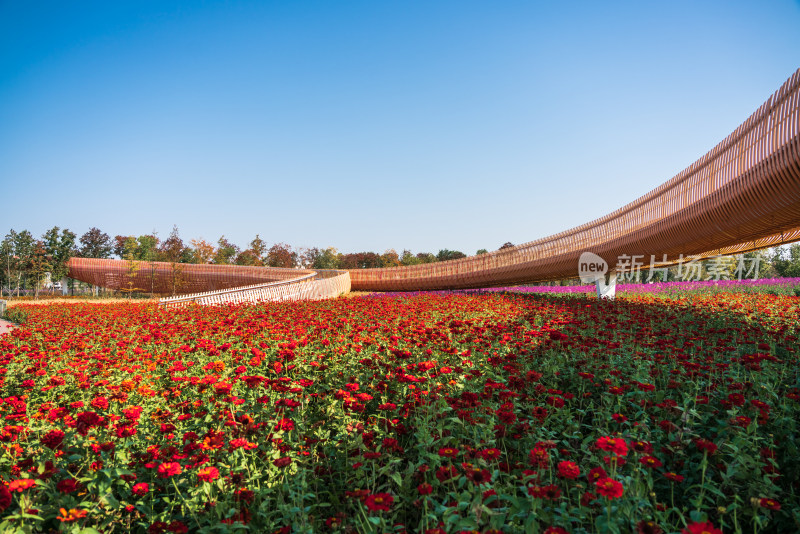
[[28, 261]]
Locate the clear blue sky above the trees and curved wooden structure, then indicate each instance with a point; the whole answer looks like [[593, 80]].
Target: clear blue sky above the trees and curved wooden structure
[[368, 125]]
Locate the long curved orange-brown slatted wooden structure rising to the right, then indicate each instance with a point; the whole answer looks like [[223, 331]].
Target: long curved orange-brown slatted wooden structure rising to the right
[[743, 195]]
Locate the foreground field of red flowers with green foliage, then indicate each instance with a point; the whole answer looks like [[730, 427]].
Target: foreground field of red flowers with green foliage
[[424, 414]]
